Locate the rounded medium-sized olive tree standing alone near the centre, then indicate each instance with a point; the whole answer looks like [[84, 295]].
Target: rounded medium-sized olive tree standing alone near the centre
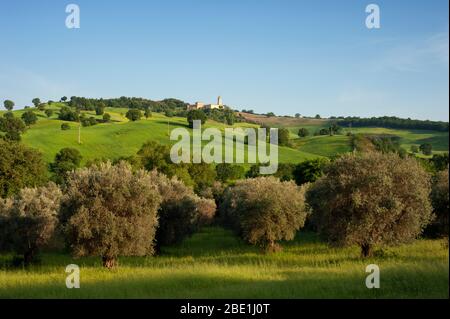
[[264, 210]]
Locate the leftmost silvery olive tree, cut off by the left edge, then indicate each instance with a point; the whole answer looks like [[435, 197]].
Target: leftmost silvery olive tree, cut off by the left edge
[[29, 221]]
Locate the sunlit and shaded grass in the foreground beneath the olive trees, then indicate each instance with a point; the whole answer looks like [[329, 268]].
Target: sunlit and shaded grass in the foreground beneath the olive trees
[[215, 264]]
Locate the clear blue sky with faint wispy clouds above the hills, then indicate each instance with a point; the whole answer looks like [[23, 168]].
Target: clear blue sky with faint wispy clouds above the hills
[[283, 56]]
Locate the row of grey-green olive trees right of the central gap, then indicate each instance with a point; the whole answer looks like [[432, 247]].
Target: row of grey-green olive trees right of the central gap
[[366, 199]]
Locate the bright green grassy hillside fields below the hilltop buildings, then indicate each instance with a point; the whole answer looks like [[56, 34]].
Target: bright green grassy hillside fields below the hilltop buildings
[[124, 138]]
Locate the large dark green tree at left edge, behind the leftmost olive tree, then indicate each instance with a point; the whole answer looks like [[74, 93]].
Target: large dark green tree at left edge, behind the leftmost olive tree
[[20, 167]]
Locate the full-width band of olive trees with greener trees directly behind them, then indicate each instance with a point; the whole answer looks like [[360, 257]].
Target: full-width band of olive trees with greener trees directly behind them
[[134, 205]]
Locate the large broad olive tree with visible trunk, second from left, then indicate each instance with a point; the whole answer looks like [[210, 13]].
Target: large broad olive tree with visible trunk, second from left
[[110, 211]]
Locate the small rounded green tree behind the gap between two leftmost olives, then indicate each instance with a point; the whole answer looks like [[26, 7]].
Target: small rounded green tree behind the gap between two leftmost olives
[[66, 160]]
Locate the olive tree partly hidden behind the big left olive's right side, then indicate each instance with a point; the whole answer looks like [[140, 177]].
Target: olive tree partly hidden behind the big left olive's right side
[[181, 211]]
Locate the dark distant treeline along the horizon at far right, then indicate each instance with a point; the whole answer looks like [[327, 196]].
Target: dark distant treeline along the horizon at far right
[[395, 122]]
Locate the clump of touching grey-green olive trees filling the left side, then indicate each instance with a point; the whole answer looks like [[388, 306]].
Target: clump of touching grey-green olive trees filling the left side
[[103, 210]]
